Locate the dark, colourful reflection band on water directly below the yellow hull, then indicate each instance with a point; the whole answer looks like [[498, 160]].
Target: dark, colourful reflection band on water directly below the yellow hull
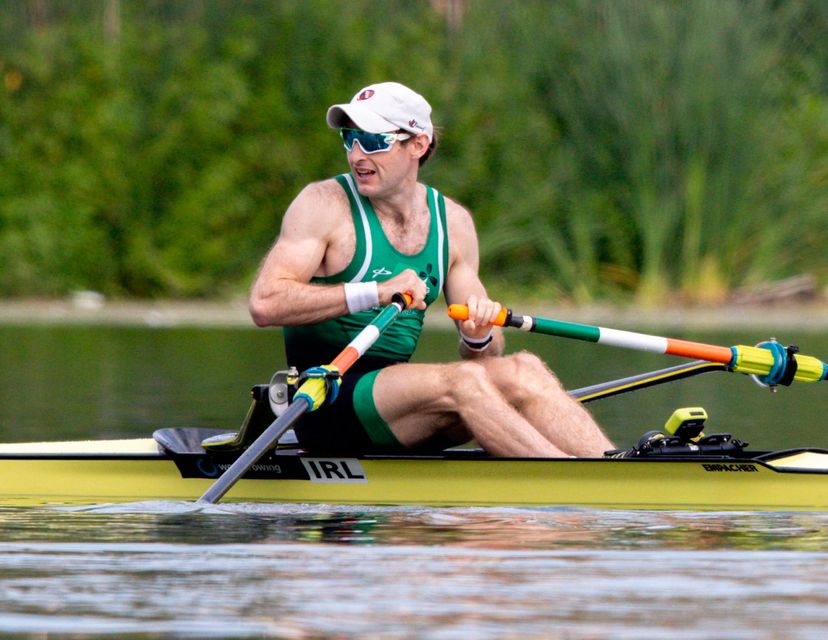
[[482, 528]]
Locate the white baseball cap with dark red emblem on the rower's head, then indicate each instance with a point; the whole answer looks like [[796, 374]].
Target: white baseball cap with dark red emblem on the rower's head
[[384, 107]]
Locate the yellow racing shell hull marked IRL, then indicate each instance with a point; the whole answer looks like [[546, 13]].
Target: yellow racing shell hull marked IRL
[[144, 472]]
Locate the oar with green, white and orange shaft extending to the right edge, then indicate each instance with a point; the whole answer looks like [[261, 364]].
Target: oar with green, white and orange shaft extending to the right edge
[[770, 362]]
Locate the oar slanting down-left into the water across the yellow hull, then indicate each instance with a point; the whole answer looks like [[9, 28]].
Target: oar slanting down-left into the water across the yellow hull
[[309, 396]]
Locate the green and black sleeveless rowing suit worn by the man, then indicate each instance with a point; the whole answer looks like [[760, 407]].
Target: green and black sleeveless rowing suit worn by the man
[[353, 416]]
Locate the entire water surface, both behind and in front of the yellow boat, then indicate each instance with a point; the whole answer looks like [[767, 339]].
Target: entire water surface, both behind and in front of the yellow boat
[[294, 571]]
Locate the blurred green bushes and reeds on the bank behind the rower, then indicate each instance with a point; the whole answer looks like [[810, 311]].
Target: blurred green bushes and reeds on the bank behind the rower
[[638, 150]]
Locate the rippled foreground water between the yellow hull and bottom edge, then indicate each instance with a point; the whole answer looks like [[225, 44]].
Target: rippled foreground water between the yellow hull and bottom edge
[[297, 572]]
